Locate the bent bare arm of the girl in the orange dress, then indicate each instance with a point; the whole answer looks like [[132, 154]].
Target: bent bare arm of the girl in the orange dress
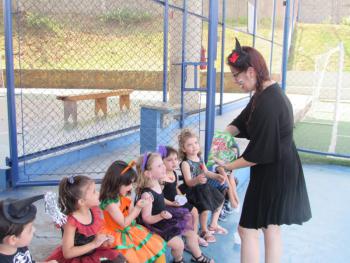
[[117, 215]]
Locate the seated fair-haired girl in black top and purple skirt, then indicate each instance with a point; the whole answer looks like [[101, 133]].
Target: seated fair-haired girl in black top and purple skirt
[[169, 223]]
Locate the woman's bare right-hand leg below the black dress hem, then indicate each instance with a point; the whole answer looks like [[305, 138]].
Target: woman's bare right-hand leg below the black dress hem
[[273, 243]]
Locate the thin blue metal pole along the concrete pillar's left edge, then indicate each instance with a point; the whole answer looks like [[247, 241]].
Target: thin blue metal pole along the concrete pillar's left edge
[[165, 49]]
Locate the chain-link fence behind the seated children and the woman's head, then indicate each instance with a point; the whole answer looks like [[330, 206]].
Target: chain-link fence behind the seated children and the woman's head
[[98, 81]]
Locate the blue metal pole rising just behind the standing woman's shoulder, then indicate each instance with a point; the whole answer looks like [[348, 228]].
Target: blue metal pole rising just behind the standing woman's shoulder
[[285, 45]]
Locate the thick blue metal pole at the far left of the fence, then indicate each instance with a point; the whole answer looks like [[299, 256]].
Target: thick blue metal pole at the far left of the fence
[[10, 85]]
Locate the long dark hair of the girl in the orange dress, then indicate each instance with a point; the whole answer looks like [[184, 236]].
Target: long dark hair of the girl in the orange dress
[[114, 179]]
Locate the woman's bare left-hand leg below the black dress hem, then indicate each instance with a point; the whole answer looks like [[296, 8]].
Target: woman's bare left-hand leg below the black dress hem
[[249, 245]]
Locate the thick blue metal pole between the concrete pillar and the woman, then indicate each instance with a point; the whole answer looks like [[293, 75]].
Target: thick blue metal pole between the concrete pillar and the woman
[[211, 81]]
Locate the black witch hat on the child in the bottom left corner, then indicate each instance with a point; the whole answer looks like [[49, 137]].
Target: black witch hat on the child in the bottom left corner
[[20, 211]]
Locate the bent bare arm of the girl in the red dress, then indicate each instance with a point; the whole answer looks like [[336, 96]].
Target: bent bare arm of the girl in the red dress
[[71, 251]]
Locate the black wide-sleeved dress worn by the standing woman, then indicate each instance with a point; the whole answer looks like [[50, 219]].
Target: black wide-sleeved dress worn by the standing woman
[[276, 192]]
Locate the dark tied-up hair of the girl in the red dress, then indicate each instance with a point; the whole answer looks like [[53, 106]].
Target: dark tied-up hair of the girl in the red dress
[[70, 191]]
